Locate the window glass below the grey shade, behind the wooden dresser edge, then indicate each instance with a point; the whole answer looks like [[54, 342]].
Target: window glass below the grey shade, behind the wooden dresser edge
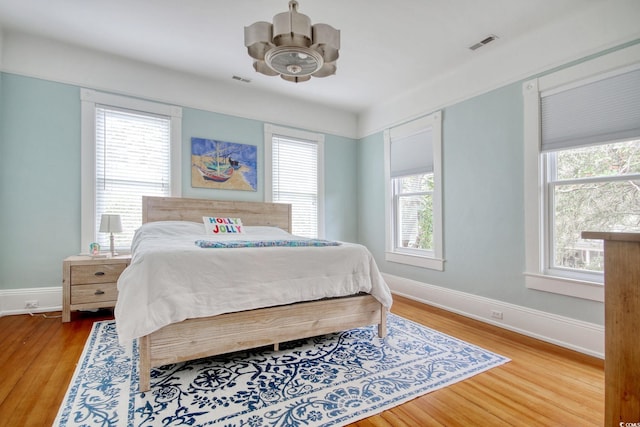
[[589, 188]]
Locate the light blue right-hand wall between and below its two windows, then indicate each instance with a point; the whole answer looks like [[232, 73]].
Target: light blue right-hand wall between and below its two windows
[[483, 180]]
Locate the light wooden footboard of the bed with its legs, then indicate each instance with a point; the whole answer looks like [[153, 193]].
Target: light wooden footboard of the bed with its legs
[[208, 336]]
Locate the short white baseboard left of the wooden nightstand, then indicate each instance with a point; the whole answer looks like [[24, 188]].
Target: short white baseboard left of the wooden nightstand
[[12, 301]]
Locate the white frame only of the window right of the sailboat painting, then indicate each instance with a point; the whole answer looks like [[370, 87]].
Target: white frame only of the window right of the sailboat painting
[[269, 131]]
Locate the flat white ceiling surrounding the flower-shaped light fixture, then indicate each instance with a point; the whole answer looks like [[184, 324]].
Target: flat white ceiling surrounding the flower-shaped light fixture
[[388, 47]]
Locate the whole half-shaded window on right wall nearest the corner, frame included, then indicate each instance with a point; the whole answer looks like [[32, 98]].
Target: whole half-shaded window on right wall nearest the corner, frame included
[[414, 208]]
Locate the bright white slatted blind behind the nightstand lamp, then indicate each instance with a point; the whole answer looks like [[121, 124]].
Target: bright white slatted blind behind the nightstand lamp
[[132, 160]]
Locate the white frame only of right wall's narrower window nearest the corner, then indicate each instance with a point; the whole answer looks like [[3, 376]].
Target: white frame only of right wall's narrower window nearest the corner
[[419, 258]]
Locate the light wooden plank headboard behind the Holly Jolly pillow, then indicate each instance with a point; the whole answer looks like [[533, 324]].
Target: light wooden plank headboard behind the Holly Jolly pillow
[[184, 209]]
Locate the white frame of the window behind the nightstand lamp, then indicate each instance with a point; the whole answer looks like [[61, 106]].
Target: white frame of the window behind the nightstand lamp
[[89, 99]]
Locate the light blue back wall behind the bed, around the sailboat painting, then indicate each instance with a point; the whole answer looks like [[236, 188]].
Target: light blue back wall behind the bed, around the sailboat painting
[[40, 176]]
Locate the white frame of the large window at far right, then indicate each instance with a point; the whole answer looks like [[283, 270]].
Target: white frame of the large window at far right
[[534, 215]]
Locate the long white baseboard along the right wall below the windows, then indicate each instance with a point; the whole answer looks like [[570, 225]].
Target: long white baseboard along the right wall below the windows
[[577, 335]]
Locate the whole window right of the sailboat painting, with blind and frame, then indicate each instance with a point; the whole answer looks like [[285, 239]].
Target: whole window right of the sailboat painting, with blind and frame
[[294, 174]]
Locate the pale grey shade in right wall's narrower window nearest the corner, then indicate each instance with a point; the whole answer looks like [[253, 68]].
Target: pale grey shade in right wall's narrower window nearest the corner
[[411, 149]]
